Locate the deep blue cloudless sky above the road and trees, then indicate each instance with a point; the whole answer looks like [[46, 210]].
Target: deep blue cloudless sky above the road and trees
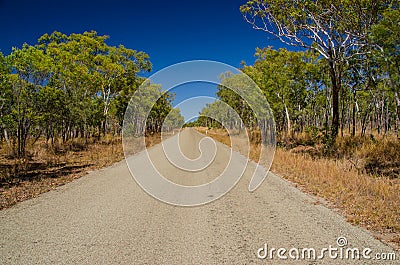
[[169, 31]]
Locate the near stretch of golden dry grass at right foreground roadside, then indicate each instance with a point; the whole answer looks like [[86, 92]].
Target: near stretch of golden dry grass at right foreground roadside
[[365, 200]]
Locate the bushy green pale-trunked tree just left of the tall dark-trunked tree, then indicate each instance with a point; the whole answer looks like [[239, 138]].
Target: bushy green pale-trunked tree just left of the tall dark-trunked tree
[[287, 80]]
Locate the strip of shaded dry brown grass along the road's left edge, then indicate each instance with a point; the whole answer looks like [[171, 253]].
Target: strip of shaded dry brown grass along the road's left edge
[[48, 168]]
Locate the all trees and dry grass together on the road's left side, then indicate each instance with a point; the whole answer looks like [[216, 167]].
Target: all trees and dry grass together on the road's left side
[[62, 105]]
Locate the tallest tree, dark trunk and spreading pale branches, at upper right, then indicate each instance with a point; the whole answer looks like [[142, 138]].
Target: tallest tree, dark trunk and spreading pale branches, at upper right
[[337, 30]]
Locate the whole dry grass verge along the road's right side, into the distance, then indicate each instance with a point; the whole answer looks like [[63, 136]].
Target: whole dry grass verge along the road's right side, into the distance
[[366, 200]]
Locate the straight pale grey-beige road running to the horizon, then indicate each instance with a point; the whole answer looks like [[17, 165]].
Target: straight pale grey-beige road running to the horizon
[[106, 218]]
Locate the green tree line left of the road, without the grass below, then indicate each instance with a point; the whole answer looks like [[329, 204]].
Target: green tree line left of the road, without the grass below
[[69, 86]]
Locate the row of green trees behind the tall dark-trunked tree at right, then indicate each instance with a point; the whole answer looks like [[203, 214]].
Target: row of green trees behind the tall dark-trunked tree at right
[[298, 88]]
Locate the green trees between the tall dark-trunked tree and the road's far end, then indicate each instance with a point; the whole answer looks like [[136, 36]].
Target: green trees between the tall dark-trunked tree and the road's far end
[[292, 84]]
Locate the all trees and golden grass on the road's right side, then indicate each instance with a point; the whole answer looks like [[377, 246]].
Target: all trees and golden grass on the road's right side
[[335, 101]]
